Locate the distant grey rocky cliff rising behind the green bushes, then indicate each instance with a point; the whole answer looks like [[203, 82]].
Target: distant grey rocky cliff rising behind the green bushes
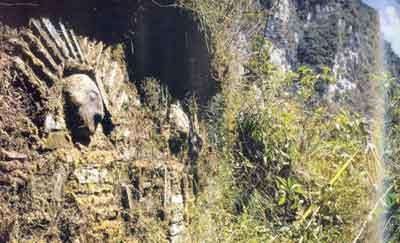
[[343, 35]]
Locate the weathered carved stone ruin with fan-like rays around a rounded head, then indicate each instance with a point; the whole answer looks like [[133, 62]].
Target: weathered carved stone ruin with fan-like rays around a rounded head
[[64, 180]]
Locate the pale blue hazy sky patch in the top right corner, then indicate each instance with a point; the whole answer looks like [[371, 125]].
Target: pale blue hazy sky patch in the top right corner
[[389, 11]]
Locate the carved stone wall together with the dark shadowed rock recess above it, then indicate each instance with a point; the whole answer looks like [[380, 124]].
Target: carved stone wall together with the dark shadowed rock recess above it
[[86, 155]]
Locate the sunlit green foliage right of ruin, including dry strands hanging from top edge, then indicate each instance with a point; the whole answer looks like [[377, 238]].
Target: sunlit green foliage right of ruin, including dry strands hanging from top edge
[[279, 147]]
